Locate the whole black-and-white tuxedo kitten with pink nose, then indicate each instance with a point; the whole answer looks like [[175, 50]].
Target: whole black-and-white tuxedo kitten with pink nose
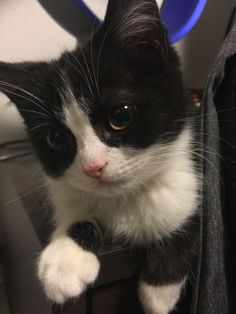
[[115, 133]]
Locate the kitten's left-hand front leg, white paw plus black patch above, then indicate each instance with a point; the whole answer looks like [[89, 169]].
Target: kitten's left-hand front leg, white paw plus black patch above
[[69, 263]]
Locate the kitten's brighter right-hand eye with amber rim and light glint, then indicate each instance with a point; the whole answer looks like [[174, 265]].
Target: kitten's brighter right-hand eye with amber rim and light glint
[[121, 117]]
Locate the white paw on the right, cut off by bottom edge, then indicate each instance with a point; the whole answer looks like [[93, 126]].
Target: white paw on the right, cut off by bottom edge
[[159, 299]]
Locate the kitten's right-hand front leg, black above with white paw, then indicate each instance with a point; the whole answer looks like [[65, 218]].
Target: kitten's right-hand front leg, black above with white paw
[[167, 268]]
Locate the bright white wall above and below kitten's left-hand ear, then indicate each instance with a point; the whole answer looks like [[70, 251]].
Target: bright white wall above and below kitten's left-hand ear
[[27, 32]]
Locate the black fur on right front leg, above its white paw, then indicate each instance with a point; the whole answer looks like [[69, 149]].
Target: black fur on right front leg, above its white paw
[[173, 259]]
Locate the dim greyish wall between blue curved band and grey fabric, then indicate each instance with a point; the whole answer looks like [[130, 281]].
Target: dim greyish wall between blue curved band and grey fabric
[[199, 48]]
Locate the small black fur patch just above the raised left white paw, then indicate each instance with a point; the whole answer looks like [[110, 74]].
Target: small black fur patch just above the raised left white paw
[[88, 235]]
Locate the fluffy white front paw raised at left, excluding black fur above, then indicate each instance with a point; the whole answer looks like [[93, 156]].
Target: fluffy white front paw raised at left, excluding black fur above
[[65, 269]]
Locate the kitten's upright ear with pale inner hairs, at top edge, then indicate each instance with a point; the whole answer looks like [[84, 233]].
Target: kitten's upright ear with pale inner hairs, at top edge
[[135, 25]]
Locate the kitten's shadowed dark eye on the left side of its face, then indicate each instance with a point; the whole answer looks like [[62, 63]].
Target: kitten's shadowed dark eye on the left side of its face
[[57, 139]]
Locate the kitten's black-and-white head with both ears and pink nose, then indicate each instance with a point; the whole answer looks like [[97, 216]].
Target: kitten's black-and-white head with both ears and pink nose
[[106, 117]]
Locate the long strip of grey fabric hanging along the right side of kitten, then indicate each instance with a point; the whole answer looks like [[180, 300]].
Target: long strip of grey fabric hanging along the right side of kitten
[[210, 294]]
